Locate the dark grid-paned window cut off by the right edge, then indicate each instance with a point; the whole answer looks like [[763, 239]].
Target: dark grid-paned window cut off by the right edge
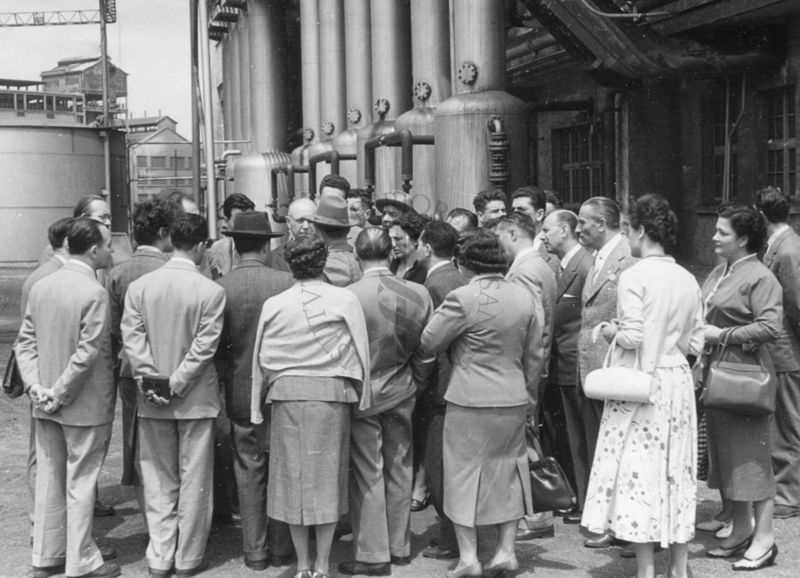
[[782, 140]]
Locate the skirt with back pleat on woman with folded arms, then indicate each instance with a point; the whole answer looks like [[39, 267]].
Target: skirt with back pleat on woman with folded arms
[[486, 474]]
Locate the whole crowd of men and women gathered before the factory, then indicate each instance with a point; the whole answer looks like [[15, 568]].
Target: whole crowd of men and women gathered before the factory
[[377, 361]]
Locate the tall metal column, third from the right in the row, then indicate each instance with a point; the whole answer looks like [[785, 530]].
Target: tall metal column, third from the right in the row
[[391, 85]]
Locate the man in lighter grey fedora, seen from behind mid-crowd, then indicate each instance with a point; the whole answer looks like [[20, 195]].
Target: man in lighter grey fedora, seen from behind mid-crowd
[[332, 222]]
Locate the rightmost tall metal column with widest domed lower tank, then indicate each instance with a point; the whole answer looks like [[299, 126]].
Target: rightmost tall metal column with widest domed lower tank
[[461, 122]]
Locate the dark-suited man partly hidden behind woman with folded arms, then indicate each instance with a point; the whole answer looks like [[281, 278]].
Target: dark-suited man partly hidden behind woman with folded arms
[[437, 246]]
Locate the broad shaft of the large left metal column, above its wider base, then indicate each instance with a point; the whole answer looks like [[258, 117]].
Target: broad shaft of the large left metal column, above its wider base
[[268, 75]]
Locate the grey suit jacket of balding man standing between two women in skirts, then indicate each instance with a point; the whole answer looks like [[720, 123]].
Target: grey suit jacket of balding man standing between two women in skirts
[[396, 311]]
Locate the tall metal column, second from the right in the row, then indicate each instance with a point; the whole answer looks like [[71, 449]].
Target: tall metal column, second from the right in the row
[[430, 21]]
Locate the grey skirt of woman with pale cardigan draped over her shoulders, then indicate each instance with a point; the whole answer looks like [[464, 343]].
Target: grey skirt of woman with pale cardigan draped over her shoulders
[[308, 462]]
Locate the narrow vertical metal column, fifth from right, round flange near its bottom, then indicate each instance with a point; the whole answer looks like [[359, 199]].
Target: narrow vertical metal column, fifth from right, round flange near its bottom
[[331, 68]]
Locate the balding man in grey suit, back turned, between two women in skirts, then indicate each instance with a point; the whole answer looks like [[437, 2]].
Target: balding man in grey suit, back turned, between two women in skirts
[[396, 312]]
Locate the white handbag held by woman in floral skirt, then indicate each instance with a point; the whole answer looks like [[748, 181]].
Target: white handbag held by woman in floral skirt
[[619, 383]]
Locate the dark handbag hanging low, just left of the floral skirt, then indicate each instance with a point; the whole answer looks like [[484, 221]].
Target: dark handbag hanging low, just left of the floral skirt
[[550, 489]]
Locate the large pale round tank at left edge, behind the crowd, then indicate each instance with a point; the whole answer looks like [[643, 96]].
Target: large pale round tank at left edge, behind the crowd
[[44, 170]]
